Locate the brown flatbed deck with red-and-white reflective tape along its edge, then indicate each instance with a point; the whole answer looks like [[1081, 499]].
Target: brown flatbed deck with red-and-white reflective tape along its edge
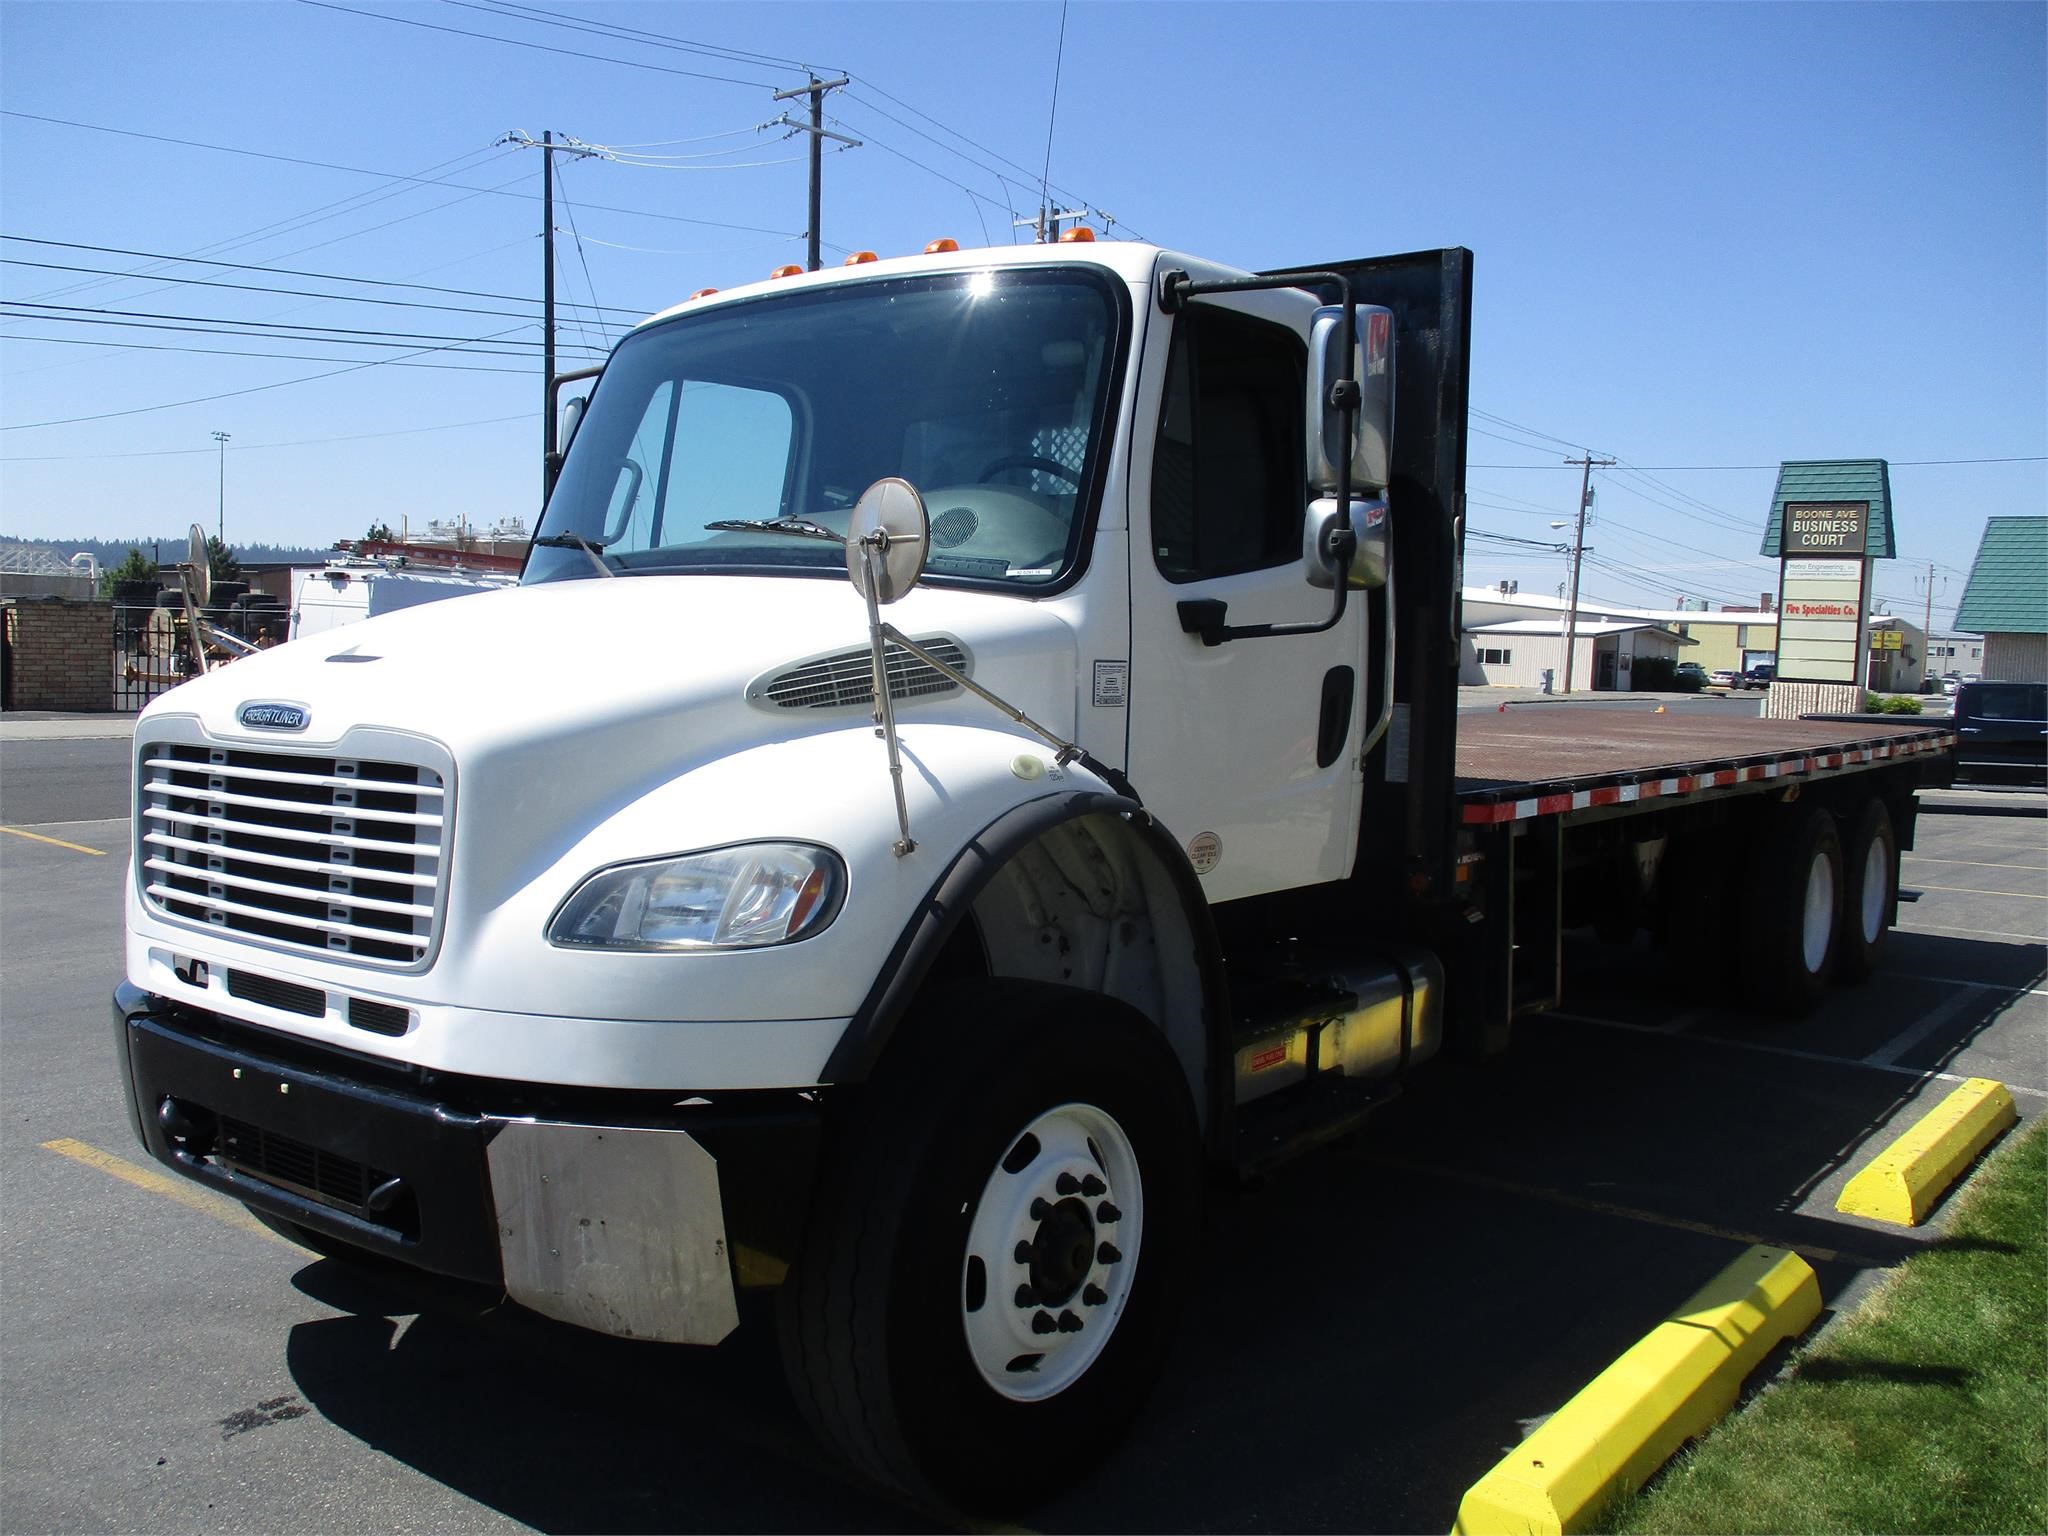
[[1555, 759]]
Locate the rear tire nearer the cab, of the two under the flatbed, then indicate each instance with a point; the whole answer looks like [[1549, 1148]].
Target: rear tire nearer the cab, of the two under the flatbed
[[1793, 912]]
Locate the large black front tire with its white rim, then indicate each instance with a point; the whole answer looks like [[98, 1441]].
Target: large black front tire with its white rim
[[998, 1254]]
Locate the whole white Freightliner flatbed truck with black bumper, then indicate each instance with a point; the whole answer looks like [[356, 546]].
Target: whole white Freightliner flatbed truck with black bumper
[[617, 943]]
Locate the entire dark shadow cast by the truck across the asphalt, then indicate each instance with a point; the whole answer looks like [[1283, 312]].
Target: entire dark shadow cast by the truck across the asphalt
[[1369, 1330]]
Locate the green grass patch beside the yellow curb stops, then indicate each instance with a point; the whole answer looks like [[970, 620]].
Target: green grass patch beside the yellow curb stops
[[1922, 1412]]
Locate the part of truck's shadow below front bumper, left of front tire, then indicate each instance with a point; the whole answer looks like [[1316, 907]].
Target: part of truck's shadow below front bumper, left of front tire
[[568, 1431]]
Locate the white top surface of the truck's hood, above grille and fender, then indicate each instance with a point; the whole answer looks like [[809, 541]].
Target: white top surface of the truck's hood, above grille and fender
[[564, 699]]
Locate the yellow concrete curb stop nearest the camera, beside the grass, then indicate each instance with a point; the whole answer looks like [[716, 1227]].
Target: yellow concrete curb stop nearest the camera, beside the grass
[[1670, 1388]]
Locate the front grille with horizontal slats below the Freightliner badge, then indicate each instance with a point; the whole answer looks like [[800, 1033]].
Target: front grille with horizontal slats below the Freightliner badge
[[335, 857]]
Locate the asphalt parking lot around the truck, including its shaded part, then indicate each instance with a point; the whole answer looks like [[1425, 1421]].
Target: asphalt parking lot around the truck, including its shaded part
[[1375, 1328]]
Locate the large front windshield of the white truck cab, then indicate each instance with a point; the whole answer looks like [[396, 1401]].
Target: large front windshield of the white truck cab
[[984, 390]]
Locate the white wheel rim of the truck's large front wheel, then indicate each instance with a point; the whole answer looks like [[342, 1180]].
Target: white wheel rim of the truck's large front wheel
[[1052, 1252]]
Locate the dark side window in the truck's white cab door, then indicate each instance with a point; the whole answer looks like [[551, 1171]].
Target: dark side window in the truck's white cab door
[[1230, 484]]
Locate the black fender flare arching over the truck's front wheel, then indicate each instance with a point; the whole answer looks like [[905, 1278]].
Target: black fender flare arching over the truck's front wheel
[[951, 898]]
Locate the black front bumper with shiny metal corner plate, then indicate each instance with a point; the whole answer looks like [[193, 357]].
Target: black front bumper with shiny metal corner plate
[[622, 1211]]
